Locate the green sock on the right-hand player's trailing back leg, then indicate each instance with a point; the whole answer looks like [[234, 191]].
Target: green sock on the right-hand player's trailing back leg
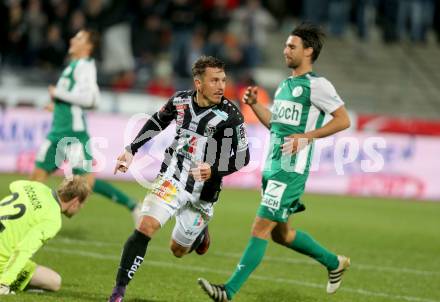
[[305, 244]]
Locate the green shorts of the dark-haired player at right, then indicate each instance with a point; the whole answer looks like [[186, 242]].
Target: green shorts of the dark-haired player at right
[[281, 192]]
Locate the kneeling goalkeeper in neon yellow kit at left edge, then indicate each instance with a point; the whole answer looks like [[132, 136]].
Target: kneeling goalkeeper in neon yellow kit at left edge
[[29, 217]]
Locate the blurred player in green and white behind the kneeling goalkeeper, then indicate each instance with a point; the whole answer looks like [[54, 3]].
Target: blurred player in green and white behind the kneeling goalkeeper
[[76, 90]]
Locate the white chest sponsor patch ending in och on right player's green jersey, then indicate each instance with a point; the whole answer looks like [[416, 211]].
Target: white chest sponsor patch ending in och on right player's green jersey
[[287, 112]]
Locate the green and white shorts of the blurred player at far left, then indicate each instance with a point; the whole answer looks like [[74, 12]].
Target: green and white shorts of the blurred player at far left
[[58, 148]]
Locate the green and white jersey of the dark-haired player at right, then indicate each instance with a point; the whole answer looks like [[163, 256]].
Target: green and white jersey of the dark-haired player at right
[[300, 104]]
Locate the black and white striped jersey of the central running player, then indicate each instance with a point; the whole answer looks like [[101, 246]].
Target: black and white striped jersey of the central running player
[[215, 135]]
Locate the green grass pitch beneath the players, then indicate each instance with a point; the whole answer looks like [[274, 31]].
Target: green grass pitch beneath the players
[[394, 246]]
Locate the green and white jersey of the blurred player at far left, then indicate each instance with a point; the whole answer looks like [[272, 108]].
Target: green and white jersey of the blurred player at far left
[[76, 90]]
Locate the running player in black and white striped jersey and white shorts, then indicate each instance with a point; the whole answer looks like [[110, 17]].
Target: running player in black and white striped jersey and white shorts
[[210, 143]]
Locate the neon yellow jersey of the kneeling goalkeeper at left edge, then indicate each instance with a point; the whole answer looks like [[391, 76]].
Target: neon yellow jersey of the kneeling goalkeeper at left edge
[[29, 217]]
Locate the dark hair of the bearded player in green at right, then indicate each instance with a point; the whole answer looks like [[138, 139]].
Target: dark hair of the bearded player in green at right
[[312, 36]]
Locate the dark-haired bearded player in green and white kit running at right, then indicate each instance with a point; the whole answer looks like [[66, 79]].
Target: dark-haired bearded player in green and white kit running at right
[[296, 119]]
